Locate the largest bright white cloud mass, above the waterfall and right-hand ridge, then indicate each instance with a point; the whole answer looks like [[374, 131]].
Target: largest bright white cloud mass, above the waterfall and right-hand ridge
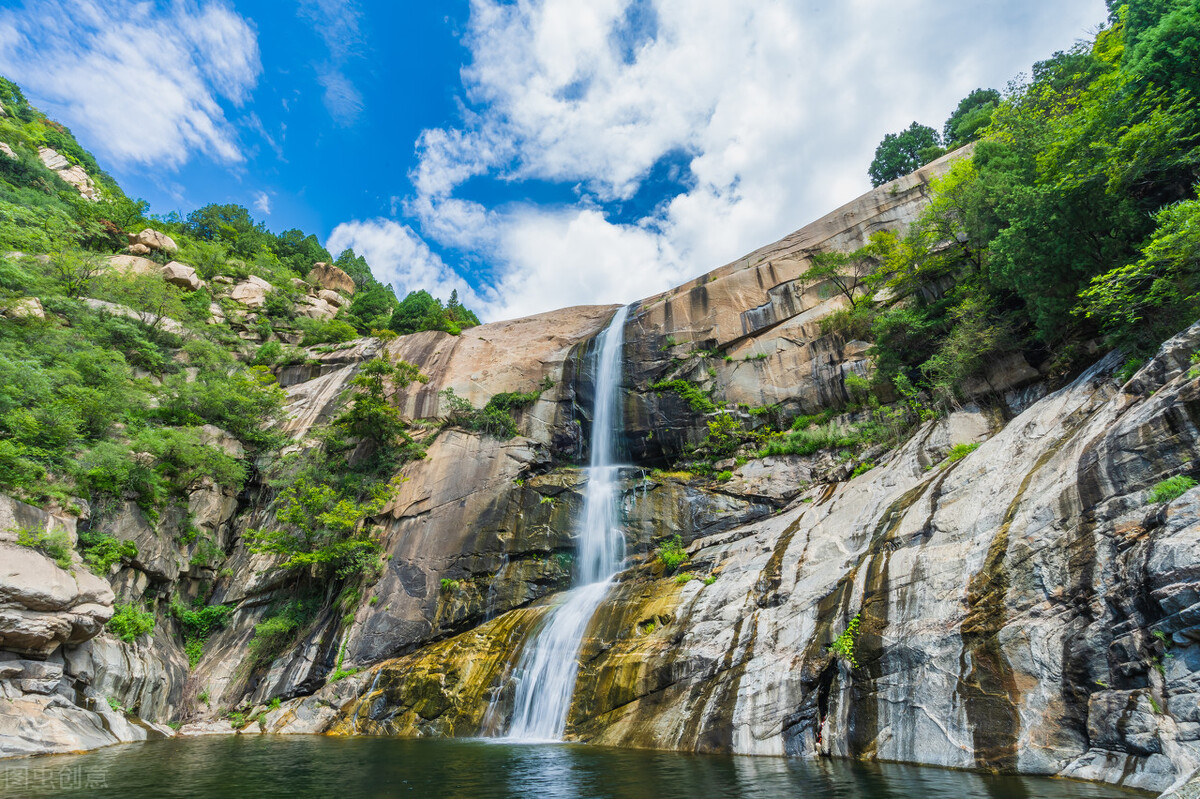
[[776, 105]]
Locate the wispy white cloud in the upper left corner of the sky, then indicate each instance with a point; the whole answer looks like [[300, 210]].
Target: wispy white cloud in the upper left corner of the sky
[[146, 85]]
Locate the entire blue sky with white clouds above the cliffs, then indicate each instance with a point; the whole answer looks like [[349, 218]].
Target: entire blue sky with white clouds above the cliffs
[[532, 154]]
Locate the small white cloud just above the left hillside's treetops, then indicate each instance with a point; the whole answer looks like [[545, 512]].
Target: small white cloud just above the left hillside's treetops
[[400, 257]]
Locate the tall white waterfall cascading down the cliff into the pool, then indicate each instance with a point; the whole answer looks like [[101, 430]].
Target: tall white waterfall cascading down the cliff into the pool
[[550, 660]]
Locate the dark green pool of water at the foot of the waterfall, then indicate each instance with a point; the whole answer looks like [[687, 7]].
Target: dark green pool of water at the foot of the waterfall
[[352, 768]]
